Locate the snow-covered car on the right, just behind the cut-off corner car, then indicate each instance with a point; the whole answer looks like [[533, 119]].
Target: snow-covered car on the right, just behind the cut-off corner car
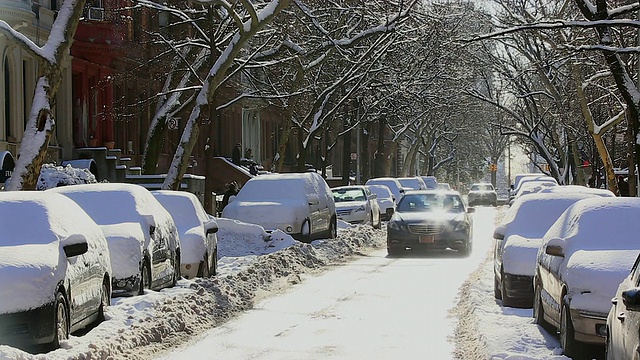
[[583, 258]]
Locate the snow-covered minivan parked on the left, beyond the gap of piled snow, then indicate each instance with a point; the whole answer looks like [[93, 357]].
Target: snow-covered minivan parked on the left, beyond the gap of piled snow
[[300, 204]]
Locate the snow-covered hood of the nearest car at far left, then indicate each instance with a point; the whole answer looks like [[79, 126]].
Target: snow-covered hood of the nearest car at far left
[[29, 281]]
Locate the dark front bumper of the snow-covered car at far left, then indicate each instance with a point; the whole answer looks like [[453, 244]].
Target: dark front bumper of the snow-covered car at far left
[[30, 327]]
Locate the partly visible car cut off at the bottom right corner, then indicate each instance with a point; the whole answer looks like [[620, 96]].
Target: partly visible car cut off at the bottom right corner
[[623, 321]]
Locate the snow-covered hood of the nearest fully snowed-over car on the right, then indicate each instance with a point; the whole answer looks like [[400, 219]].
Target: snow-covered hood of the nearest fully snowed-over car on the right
[[593, 277]]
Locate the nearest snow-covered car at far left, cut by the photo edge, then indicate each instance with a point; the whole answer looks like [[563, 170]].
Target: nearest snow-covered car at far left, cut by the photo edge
[[54, 269]]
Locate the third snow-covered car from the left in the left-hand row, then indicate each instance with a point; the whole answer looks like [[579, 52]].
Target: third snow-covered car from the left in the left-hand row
[[197, 231]]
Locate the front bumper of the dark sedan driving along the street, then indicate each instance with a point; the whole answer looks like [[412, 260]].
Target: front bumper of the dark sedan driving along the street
[[447, 239]]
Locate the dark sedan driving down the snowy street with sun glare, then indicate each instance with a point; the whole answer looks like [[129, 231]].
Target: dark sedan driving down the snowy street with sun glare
[[430, 220]]
